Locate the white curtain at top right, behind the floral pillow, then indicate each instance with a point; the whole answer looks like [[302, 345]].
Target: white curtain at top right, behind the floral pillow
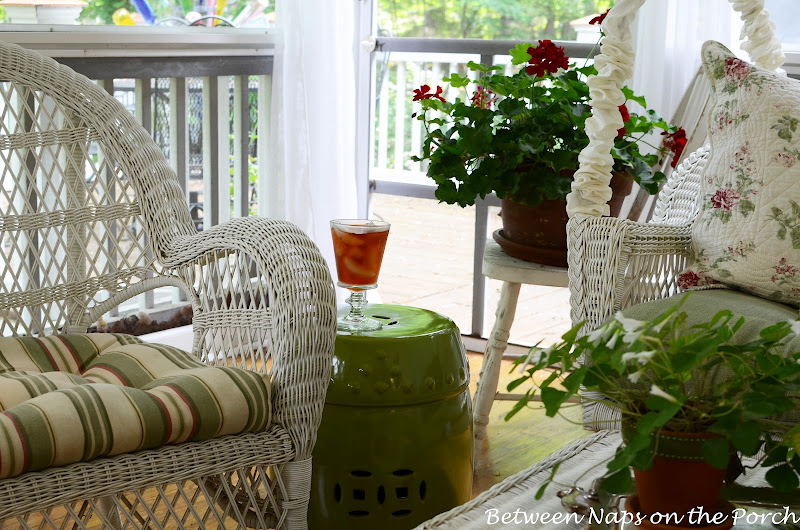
[[667, 39]]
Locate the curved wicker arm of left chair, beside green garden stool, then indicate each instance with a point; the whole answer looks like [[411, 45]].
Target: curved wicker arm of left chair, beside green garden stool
[[264, 299]]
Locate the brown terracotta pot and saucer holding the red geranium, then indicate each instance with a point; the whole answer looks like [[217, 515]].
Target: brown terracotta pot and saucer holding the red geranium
[[539, 233]]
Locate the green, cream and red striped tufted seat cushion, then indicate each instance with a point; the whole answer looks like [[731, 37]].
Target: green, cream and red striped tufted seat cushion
[[72, 398]]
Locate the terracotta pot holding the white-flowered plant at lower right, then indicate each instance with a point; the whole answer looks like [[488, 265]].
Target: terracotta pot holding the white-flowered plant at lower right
[[679, 480]]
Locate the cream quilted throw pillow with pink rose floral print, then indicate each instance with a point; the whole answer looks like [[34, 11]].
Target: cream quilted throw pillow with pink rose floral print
[[747, 235]]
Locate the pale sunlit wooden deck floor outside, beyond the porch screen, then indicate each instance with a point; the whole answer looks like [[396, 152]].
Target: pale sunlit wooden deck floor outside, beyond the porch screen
[[428, 263]]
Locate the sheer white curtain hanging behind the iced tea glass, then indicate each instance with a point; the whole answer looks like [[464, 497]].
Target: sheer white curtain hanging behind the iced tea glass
[[312, 163]]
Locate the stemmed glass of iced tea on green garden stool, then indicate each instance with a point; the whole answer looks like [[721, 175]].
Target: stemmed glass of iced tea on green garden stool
[[358, 245]]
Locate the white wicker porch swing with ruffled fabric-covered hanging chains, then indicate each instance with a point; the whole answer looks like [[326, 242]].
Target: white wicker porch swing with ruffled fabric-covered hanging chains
[[616, 263]]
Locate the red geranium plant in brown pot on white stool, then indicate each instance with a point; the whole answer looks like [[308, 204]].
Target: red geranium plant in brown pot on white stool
[[519, 136]]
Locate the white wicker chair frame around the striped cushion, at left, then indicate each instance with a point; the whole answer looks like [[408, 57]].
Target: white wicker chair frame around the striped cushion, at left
[[92, 215]]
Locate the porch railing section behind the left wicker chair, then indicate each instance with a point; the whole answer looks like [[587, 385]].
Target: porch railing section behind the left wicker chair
[[203, 93]]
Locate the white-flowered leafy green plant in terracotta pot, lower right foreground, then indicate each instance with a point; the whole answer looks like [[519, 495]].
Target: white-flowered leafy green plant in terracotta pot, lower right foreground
[[690, 401]]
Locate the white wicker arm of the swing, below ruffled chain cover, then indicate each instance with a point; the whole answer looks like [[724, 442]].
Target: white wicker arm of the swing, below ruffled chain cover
[[615, 263]]
